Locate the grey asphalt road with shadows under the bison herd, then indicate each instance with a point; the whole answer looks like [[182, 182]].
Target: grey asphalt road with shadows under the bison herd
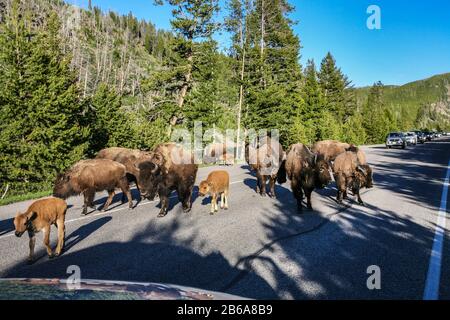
[[261, 247]]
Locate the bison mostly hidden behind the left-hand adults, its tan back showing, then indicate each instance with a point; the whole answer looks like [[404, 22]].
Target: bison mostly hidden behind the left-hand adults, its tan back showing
[[127, 157]]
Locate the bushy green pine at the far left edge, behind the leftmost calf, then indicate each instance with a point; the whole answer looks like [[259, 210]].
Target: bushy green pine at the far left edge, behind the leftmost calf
[[42, 124]]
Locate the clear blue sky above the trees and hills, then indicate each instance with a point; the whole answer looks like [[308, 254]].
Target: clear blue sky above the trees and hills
[[413, 43]]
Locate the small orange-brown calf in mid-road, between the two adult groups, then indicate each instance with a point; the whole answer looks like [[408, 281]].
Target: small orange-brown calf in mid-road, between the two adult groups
[[217, 183]]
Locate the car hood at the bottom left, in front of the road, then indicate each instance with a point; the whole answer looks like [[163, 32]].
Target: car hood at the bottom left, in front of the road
[[58, 289]]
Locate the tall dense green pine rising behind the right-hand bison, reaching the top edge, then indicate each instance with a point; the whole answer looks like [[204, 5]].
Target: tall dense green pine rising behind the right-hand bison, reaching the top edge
[[274, 72]]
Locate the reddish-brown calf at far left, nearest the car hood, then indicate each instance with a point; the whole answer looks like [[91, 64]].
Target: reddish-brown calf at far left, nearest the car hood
[[40, 216]]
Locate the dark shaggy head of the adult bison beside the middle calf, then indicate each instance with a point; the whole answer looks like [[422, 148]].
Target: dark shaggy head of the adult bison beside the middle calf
[[149, 176]]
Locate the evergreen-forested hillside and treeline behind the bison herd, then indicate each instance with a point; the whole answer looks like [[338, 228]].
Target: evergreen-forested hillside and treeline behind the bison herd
[[74, 81]]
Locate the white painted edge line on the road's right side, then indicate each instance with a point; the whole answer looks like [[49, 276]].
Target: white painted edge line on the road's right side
[[431, 291]]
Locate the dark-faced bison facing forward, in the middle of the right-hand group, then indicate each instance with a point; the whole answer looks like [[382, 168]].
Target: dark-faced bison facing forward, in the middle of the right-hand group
[[307, 171]]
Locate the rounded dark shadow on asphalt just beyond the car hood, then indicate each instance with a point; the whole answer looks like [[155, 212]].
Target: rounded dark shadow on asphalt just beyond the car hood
[[154, 254]]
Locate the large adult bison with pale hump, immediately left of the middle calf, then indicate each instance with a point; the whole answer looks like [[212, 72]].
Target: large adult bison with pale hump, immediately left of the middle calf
[[170, 168]]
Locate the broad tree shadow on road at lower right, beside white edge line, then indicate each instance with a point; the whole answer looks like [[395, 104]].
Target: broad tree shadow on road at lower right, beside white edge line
[[331, 264]]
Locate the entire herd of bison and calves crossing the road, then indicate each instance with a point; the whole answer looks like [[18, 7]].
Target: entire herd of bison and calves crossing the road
[[170, 167]]
